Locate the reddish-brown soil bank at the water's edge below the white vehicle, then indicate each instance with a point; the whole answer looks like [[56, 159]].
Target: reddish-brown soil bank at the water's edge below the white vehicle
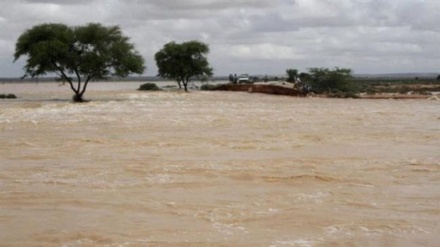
[[252, 88]]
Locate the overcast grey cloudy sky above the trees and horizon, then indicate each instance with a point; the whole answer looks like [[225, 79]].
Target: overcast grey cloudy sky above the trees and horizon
[[253, 36]]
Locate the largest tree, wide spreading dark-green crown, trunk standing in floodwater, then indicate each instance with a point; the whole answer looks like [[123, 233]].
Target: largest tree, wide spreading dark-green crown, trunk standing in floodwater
[[78, 54]]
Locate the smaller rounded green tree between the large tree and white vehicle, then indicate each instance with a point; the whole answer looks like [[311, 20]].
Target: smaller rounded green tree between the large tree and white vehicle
[[184, 61]]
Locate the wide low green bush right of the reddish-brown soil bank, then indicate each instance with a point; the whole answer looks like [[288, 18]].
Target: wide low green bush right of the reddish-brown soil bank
[[324, 80]]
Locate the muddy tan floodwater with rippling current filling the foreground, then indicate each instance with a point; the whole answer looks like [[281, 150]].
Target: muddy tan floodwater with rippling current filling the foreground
[[168, 168]]
